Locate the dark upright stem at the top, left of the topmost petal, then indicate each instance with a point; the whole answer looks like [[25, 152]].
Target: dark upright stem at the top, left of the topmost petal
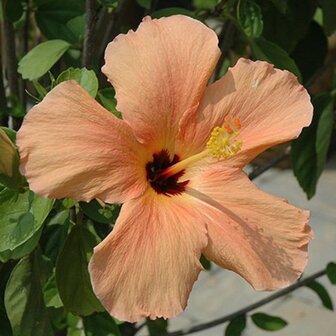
[[89, 33]]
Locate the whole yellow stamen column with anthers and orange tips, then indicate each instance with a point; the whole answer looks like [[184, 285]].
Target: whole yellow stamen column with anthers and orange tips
[[222, 144]]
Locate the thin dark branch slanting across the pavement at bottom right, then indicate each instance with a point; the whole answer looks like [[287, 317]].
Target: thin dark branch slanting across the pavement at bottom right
[[249, 308]]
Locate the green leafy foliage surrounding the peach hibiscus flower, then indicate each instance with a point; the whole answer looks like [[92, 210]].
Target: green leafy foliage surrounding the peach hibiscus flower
[[45, 245]]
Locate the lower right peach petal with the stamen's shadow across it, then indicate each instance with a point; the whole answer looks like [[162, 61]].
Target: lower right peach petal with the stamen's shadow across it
[[260, 237]]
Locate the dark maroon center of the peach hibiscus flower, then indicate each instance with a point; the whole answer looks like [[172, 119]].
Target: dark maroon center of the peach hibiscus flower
[[167, 185]]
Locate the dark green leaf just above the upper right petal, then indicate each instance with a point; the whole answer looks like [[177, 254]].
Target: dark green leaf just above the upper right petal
[[270, 52]]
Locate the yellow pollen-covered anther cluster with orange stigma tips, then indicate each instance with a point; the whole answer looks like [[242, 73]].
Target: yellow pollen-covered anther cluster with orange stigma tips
[[223, 141]]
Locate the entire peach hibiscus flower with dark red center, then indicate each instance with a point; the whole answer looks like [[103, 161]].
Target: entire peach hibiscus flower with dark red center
[[175, 162]]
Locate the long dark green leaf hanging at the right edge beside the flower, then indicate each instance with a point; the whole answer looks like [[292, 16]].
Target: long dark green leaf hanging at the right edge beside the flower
[[309, 151]]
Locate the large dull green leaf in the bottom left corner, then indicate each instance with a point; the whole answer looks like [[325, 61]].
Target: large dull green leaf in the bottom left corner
[[24, 301]]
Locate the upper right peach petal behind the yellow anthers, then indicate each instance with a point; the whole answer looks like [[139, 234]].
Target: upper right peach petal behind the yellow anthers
[[271, 105]]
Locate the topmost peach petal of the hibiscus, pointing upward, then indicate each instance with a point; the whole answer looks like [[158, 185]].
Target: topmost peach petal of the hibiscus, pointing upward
[[159, 72]]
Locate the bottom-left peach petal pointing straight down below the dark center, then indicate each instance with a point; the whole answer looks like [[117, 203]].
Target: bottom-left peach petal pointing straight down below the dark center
[[148, 264]]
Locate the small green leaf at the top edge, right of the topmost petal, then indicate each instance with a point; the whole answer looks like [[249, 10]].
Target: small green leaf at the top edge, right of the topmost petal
[[250, 18]]
